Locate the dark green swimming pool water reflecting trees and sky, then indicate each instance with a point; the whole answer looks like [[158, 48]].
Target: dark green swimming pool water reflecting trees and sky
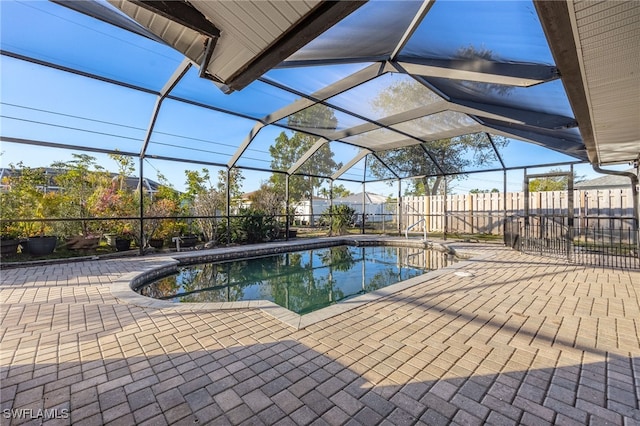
[[302, 281]]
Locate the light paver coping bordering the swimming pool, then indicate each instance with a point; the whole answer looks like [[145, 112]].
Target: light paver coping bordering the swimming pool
[[163, 265]]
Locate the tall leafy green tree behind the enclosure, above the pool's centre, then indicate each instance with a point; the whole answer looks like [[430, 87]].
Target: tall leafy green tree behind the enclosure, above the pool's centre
[[290, 148]]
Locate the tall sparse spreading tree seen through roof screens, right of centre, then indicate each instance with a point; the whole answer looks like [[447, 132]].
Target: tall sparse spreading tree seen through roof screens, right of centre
[[452, 155]]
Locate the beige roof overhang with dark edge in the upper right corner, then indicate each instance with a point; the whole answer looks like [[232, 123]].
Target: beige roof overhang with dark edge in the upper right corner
[[586, 38]]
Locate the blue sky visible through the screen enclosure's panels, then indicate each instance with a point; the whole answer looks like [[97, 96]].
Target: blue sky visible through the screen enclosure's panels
[[46, 104]]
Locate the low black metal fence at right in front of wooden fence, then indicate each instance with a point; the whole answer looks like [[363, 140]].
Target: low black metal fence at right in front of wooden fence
[[615, 245]]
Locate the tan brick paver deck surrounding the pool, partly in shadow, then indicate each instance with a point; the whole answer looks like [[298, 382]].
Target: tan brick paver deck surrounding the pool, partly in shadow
[[504, 338]]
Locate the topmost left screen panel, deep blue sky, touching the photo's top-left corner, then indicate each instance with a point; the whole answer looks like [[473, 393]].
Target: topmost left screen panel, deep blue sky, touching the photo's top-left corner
[[53, 33]]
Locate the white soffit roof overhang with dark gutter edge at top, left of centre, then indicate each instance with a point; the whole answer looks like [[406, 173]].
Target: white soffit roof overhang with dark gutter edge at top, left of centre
[[235, 42]]
